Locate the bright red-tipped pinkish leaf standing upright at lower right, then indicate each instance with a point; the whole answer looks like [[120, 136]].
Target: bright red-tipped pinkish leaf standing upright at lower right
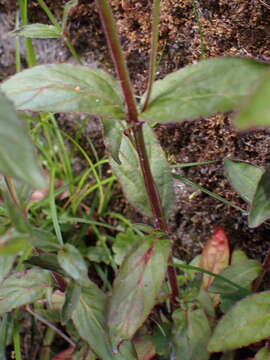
[[215, 255]]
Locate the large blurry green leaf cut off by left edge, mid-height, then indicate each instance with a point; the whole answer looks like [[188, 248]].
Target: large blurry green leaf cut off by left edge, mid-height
[[17, 157]]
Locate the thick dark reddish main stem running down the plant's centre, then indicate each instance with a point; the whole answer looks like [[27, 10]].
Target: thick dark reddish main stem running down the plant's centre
[[113, 41]]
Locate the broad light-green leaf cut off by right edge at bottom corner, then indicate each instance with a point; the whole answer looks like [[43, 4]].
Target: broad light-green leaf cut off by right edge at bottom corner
[[245, 323]]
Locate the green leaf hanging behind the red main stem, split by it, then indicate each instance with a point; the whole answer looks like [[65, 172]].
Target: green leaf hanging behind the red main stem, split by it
[[130, 175]]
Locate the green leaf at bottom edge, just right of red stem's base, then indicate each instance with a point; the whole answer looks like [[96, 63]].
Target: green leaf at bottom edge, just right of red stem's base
[[191, 333]]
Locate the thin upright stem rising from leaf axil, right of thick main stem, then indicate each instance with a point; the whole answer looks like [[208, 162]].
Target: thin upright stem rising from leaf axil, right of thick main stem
[[153, 51]]
